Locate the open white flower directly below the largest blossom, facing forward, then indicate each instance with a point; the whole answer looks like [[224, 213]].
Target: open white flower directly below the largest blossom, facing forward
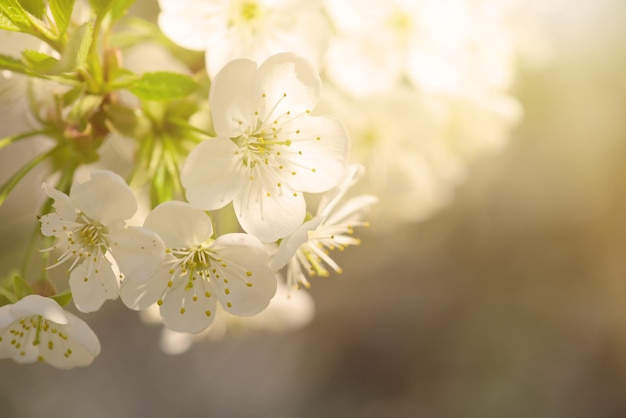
[[199, 271]]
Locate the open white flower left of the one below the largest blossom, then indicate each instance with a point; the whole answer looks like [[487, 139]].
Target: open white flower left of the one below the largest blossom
[[90, 227]]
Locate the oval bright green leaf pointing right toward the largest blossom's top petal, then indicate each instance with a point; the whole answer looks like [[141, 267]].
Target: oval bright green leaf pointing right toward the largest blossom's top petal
[[163, 86]]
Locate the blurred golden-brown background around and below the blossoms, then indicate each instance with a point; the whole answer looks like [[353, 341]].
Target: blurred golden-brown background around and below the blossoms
[[510, 302]]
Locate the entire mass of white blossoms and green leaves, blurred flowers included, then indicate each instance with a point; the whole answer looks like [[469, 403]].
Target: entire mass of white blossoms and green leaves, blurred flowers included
[[202, 168]]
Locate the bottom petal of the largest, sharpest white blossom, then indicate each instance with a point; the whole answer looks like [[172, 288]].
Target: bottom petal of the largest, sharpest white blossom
[[269, 217]]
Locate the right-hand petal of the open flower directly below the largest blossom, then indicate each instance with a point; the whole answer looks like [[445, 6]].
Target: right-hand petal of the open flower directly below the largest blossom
[[251, 283]]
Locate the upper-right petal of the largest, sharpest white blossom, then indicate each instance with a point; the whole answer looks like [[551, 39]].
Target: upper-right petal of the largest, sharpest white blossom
[[290, 84]]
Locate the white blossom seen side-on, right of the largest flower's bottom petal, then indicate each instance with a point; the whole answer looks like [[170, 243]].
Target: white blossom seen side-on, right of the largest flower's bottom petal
[[332, 228]]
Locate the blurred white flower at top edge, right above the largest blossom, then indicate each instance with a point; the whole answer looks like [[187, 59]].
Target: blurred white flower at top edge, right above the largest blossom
[[253, 29]]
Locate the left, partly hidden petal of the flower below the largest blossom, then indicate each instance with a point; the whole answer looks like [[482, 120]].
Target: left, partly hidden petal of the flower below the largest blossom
[[139, 295]]
